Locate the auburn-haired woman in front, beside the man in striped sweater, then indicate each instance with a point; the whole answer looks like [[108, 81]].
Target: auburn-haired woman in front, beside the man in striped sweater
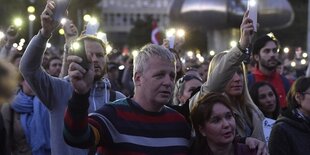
[[215, 127]]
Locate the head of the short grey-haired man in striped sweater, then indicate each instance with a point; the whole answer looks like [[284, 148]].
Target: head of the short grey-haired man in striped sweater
[[154, 75]]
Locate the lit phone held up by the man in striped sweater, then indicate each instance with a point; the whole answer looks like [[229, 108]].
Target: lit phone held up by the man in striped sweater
[[78, 49]]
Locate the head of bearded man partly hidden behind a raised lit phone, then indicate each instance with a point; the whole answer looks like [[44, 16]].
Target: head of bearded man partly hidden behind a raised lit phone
[[96, 53]]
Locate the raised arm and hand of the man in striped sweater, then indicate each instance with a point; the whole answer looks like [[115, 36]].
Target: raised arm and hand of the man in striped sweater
[[77, 131]]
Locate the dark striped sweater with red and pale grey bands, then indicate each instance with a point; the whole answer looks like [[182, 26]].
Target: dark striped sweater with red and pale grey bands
[[125, 128]]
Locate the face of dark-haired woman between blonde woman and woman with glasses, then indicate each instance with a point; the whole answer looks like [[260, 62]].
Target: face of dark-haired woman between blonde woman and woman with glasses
[[266, 99]]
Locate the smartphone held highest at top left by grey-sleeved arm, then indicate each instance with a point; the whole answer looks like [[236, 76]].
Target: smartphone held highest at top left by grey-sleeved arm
[[60, 10]]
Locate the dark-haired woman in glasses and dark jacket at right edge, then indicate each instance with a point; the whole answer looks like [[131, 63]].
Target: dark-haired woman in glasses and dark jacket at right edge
[[291, 132]]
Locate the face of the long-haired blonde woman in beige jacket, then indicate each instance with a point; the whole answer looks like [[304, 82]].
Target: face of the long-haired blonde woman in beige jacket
[[235, 85]]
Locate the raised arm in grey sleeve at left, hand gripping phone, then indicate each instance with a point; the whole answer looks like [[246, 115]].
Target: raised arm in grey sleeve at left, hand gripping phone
[[46, 87]]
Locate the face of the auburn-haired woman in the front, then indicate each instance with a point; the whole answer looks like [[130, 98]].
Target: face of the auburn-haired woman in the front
[[220, 128]]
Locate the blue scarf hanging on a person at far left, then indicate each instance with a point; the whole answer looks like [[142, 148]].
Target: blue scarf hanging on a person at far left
[[34, 119]]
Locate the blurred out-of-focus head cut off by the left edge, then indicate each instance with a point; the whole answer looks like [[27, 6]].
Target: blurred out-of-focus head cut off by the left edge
[[8, 81]]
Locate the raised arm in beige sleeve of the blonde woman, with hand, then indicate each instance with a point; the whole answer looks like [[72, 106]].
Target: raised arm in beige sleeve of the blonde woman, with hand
[[229, 63]]
